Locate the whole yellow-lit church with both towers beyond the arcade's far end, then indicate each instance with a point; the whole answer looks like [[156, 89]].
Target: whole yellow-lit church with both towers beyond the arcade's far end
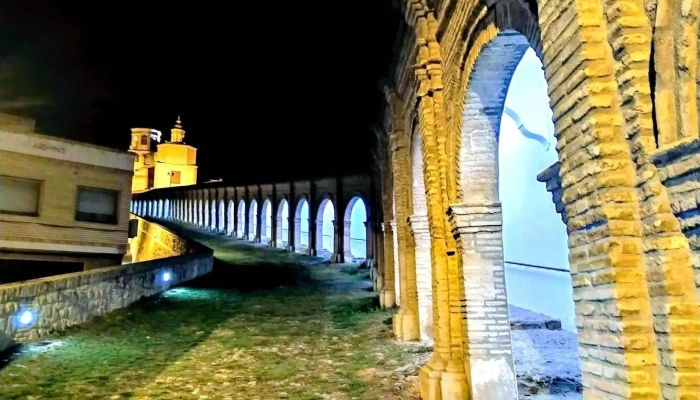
[[174, 163]]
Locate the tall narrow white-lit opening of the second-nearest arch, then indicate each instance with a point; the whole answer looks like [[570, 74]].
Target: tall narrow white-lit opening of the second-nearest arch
[[421, 234]]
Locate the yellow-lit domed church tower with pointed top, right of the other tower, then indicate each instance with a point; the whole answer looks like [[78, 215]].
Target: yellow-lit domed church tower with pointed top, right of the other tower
[[176, 162]]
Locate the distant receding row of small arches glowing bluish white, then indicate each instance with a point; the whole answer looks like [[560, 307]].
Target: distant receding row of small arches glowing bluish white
[[267, 224]]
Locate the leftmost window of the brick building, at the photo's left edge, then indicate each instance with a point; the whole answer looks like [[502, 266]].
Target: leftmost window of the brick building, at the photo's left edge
[[19, 196]]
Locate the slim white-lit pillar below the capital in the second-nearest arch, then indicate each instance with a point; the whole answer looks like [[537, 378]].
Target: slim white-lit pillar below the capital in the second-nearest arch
[[424, 275]]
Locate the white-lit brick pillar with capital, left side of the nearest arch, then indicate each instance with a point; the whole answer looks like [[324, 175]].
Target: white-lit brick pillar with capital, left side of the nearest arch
[[477, 229]]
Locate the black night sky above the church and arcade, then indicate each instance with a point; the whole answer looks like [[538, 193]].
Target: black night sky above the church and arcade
[[266, 93]]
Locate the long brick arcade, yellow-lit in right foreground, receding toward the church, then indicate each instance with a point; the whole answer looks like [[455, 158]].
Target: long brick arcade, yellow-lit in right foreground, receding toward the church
[[625, 108]]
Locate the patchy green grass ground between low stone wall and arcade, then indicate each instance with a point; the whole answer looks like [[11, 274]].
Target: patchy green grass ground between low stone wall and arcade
[[265, 325]]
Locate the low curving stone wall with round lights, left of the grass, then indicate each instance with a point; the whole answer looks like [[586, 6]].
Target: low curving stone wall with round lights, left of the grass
[[61, 301]]
